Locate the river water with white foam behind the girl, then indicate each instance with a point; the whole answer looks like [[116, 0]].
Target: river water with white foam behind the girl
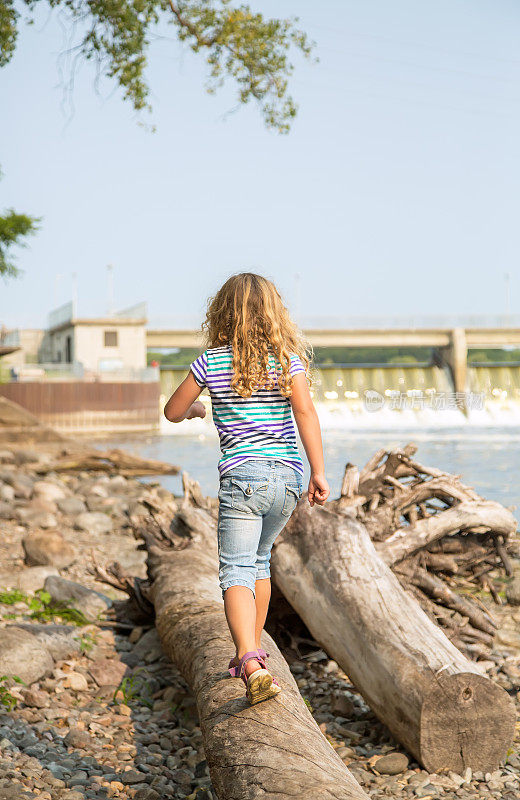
[[486, 456]]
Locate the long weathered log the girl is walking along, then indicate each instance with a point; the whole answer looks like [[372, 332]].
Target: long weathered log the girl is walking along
[[273, 749]]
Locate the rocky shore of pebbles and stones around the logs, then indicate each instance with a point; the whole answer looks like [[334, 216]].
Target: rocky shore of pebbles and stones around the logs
[[100, 712]]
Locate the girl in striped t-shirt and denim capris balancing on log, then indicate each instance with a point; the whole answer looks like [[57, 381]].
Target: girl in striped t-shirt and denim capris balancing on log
[[256, 370]]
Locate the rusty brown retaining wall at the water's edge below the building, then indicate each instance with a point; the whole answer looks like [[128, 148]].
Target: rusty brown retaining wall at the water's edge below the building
[[76, 406]]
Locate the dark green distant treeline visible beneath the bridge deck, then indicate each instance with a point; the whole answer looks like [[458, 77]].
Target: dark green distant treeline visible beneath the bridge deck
[[352, 355]]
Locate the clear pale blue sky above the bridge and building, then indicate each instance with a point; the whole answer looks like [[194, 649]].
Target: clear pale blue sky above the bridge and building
[[396, 191]]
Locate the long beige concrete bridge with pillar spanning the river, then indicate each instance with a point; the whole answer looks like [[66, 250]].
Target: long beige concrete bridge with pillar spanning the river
[[450, 345]]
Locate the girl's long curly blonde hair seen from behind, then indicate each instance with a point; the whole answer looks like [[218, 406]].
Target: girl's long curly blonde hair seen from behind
[[248, 313]]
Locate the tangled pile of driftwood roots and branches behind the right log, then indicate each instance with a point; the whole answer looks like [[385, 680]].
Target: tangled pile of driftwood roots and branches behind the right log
[[436, 534]]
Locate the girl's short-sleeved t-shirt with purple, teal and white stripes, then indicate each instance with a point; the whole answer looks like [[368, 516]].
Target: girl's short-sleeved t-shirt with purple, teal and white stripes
[[260, 426]]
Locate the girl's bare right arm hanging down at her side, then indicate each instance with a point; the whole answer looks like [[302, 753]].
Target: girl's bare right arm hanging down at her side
[[310, 434]]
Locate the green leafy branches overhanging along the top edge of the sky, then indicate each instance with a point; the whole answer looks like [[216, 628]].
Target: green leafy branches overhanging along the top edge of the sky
[[236, 42]]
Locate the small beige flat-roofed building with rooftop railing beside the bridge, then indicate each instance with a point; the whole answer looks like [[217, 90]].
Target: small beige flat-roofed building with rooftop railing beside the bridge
[[115, 343]]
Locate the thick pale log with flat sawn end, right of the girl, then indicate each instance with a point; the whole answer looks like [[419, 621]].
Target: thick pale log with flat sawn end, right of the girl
[[443, 709]]
